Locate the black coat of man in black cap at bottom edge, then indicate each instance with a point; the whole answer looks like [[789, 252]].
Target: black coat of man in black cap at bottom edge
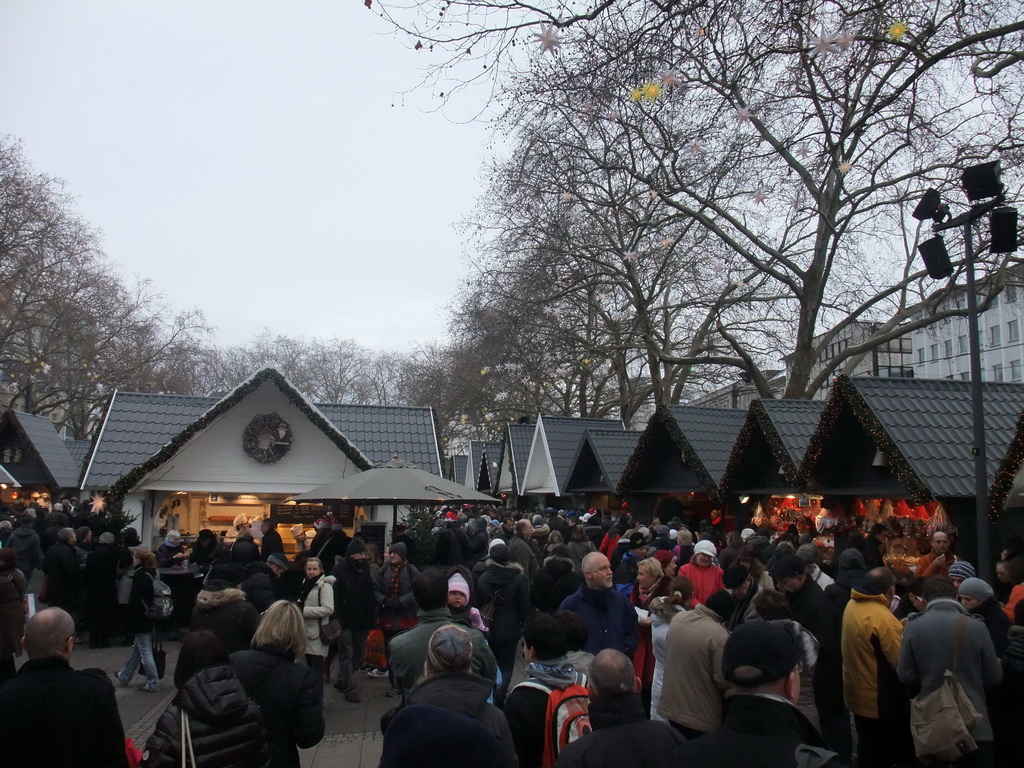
[[757, 733]]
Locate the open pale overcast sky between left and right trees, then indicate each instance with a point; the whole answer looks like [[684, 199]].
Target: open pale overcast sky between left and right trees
[[245, 156]]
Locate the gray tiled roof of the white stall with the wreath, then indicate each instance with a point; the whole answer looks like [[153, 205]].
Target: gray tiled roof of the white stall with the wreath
[[138, 426]]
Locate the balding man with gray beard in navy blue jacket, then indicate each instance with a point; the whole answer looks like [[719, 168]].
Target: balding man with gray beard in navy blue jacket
[[612, 621]]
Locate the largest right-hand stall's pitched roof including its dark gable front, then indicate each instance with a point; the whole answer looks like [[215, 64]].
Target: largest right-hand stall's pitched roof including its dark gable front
[[921, 429]]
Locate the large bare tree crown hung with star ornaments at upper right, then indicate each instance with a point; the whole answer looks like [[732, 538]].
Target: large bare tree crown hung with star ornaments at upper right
[[789, 141]]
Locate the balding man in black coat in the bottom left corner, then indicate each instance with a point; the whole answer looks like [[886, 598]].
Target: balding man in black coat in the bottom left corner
[[32, 734]]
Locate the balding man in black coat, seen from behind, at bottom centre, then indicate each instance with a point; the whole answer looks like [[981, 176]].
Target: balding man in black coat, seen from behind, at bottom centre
[[622, 734]]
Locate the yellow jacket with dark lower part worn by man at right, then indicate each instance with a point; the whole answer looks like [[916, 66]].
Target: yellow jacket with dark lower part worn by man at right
[[867, 617]]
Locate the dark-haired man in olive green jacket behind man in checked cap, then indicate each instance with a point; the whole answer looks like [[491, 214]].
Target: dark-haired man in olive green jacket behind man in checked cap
[[409, 650]]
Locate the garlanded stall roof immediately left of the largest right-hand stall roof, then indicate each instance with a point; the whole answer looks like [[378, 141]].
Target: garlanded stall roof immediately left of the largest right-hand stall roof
[[771, 447]]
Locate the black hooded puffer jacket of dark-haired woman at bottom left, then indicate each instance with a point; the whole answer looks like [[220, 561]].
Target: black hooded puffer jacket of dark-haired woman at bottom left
[[227, 729]]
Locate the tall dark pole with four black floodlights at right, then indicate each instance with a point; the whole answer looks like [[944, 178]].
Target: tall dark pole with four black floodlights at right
[[979, 183]]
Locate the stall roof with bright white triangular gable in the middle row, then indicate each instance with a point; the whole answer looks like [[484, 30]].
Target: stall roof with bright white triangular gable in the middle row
[[554, 448]]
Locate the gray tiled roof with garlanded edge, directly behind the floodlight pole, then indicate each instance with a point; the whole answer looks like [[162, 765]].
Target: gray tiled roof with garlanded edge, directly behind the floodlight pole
[[924, 429]]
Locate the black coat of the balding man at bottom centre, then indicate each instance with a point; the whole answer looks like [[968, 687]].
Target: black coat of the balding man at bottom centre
[[623, 737]]
